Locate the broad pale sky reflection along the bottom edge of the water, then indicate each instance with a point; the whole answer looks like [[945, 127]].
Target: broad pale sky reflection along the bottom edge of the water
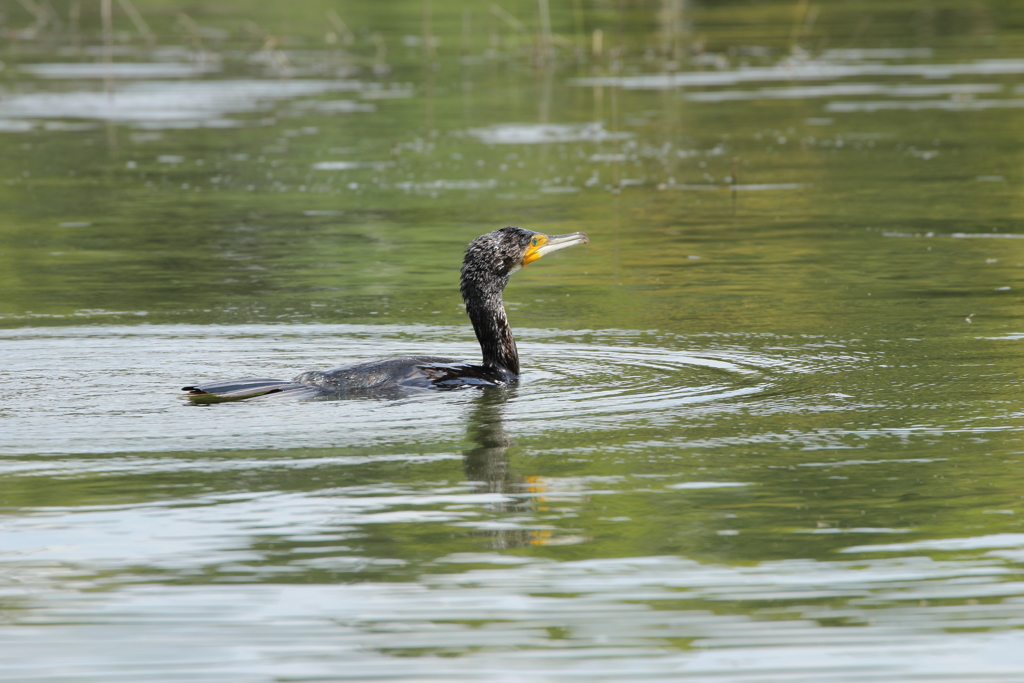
[[647, 619]]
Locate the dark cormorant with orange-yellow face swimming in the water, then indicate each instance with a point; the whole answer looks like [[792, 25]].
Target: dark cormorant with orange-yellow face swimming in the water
[[490, 261]]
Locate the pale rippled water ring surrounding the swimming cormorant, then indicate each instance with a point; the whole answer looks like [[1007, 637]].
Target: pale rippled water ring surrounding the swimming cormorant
[[115, 390]]
